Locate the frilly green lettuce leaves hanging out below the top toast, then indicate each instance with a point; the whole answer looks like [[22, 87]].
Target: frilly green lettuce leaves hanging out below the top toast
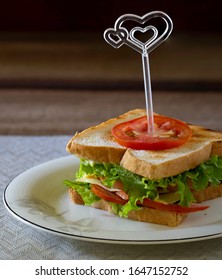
[[138, 187]]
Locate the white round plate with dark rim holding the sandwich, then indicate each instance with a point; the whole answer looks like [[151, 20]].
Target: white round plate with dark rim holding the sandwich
[[39, 198]]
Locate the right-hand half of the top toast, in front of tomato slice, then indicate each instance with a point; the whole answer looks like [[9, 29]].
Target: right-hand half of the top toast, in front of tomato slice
[[160, 164]]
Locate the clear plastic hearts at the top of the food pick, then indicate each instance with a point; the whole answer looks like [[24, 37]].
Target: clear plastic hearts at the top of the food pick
[[119, 35]]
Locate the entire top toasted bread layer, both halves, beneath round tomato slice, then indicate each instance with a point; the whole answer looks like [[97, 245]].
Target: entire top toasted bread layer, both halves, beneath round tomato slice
[[97, 144]]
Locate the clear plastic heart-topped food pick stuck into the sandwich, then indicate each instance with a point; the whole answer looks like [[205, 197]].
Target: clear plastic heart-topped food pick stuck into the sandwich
[[120, 35]]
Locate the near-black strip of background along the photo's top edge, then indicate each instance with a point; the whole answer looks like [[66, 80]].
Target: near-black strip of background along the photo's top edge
[[69, 15]]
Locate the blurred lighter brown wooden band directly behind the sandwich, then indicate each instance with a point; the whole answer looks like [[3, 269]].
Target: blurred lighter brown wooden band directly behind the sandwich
[[57, 112]]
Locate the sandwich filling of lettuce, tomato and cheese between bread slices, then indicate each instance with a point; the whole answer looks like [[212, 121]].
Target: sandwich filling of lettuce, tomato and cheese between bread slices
[[127, 191]]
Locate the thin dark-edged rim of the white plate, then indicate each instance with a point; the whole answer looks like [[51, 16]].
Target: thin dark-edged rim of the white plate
[[88, 238]]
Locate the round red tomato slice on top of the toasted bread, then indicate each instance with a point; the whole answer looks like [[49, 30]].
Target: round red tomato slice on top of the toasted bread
[[169, 133]]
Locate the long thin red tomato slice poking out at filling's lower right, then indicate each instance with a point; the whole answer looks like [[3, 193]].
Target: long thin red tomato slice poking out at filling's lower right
[[173, 207]]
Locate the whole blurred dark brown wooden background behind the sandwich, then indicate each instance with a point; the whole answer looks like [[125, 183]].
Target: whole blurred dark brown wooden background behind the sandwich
[[58, 75]]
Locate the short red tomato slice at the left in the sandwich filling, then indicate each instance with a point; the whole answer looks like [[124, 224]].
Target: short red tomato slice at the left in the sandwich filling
[[106, 195]]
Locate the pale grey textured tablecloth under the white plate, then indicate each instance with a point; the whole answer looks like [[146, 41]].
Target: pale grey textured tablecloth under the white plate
[[20, 241]]
